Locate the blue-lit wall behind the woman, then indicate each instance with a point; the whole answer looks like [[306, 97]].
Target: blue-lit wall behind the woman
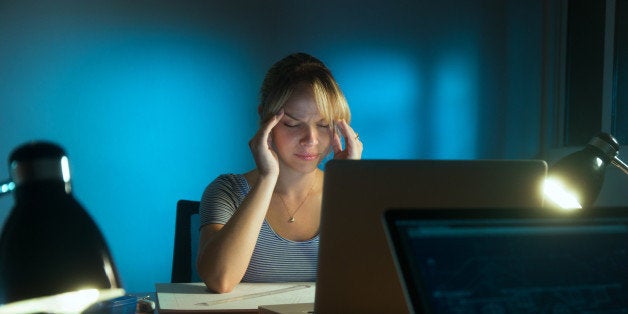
[[153, 99]]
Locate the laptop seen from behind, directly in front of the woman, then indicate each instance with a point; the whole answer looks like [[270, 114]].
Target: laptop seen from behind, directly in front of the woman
[[356, 271]]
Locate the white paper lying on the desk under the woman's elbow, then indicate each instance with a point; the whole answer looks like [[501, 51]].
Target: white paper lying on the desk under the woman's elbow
[[245, 298]]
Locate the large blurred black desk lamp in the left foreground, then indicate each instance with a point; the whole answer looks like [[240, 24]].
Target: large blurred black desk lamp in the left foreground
[[53, 257]]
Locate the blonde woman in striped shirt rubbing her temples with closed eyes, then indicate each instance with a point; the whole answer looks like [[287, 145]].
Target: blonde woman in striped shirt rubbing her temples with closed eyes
[[262, 226]]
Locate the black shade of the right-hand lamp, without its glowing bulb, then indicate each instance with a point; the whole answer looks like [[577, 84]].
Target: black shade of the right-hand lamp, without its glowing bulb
[[582, 173]]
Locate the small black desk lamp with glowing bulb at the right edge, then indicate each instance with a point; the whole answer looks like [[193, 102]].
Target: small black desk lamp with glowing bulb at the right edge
[[575, 181]]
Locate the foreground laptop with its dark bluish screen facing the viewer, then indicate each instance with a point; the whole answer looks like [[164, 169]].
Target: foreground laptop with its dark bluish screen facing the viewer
[[487, 260]]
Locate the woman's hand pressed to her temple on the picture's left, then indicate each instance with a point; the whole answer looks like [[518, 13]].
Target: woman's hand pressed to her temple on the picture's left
[[262, 148]]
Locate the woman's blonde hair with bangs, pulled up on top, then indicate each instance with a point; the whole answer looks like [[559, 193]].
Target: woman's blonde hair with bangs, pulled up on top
[[301, 68]]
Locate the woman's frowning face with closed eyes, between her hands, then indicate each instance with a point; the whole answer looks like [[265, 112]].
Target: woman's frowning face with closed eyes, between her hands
[[302, 138]]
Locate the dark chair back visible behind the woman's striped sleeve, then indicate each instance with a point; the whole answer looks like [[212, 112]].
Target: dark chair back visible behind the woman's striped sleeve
[[186, 236]]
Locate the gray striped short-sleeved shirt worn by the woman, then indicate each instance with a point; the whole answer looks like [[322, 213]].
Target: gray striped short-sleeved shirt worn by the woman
[[275, 259]]
